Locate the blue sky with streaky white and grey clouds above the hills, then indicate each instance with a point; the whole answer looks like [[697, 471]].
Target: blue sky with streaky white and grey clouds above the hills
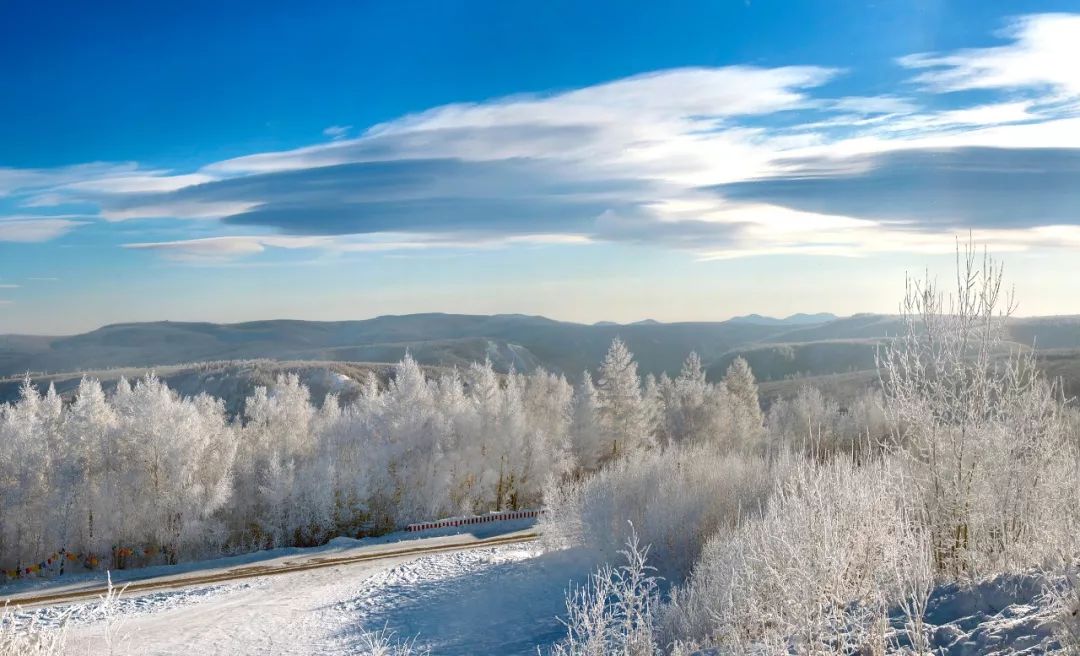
[[590, 162]]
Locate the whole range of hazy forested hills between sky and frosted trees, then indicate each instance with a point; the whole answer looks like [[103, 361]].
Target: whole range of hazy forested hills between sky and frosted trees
[[778, 350]]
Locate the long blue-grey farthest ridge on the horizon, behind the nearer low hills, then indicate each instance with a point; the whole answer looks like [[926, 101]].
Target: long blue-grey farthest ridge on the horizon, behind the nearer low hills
[[509, 341]]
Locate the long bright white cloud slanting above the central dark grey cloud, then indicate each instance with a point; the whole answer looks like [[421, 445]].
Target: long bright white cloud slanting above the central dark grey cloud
[[633, 118]]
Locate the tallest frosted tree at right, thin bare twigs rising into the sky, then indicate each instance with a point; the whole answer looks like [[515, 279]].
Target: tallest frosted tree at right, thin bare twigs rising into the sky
[[983, 433]]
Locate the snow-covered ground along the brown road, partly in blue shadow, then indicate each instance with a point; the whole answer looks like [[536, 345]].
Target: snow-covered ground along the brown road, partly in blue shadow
[[494, 600]]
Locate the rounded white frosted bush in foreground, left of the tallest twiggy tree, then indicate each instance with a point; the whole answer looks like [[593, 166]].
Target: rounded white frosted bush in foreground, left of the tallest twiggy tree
[[815, 573]]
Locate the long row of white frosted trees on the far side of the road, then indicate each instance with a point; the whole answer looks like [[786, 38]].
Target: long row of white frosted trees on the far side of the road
[[142, 475]]
